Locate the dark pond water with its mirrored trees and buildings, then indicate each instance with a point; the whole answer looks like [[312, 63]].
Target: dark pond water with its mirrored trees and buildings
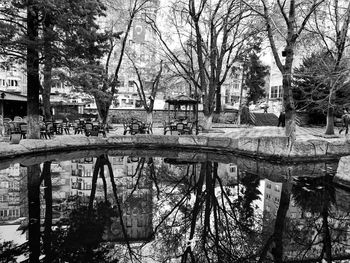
[[177, 208]]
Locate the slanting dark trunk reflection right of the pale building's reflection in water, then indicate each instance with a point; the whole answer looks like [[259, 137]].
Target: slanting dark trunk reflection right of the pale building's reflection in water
[[277, 251]]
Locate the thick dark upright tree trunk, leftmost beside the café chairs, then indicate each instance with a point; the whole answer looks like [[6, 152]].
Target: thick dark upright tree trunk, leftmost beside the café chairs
[[33, 81]]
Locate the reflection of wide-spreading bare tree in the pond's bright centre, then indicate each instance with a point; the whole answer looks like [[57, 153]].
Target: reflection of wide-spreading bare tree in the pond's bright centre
[[205, 219]]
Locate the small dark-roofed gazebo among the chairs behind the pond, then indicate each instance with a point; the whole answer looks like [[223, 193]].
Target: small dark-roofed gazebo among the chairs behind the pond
[[184, 107]]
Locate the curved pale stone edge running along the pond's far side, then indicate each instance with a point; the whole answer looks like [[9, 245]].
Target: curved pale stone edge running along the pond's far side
[[263, 146]]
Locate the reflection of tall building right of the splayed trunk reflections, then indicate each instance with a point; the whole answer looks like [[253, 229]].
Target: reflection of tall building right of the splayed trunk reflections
[[134, 190]]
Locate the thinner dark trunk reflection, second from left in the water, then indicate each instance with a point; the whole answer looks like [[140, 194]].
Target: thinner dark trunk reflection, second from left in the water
[[48, 211]]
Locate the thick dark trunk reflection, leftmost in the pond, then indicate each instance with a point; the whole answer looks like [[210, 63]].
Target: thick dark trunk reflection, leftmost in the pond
[[33, 186]]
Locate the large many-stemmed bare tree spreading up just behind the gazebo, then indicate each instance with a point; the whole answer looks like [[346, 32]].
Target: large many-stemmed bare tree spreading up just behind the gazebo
[[210, 37]]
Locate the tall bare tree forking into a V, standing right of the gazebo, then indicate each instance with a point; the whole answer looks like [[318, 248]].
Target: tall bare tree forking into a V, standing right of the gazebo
[[292, 16]]
